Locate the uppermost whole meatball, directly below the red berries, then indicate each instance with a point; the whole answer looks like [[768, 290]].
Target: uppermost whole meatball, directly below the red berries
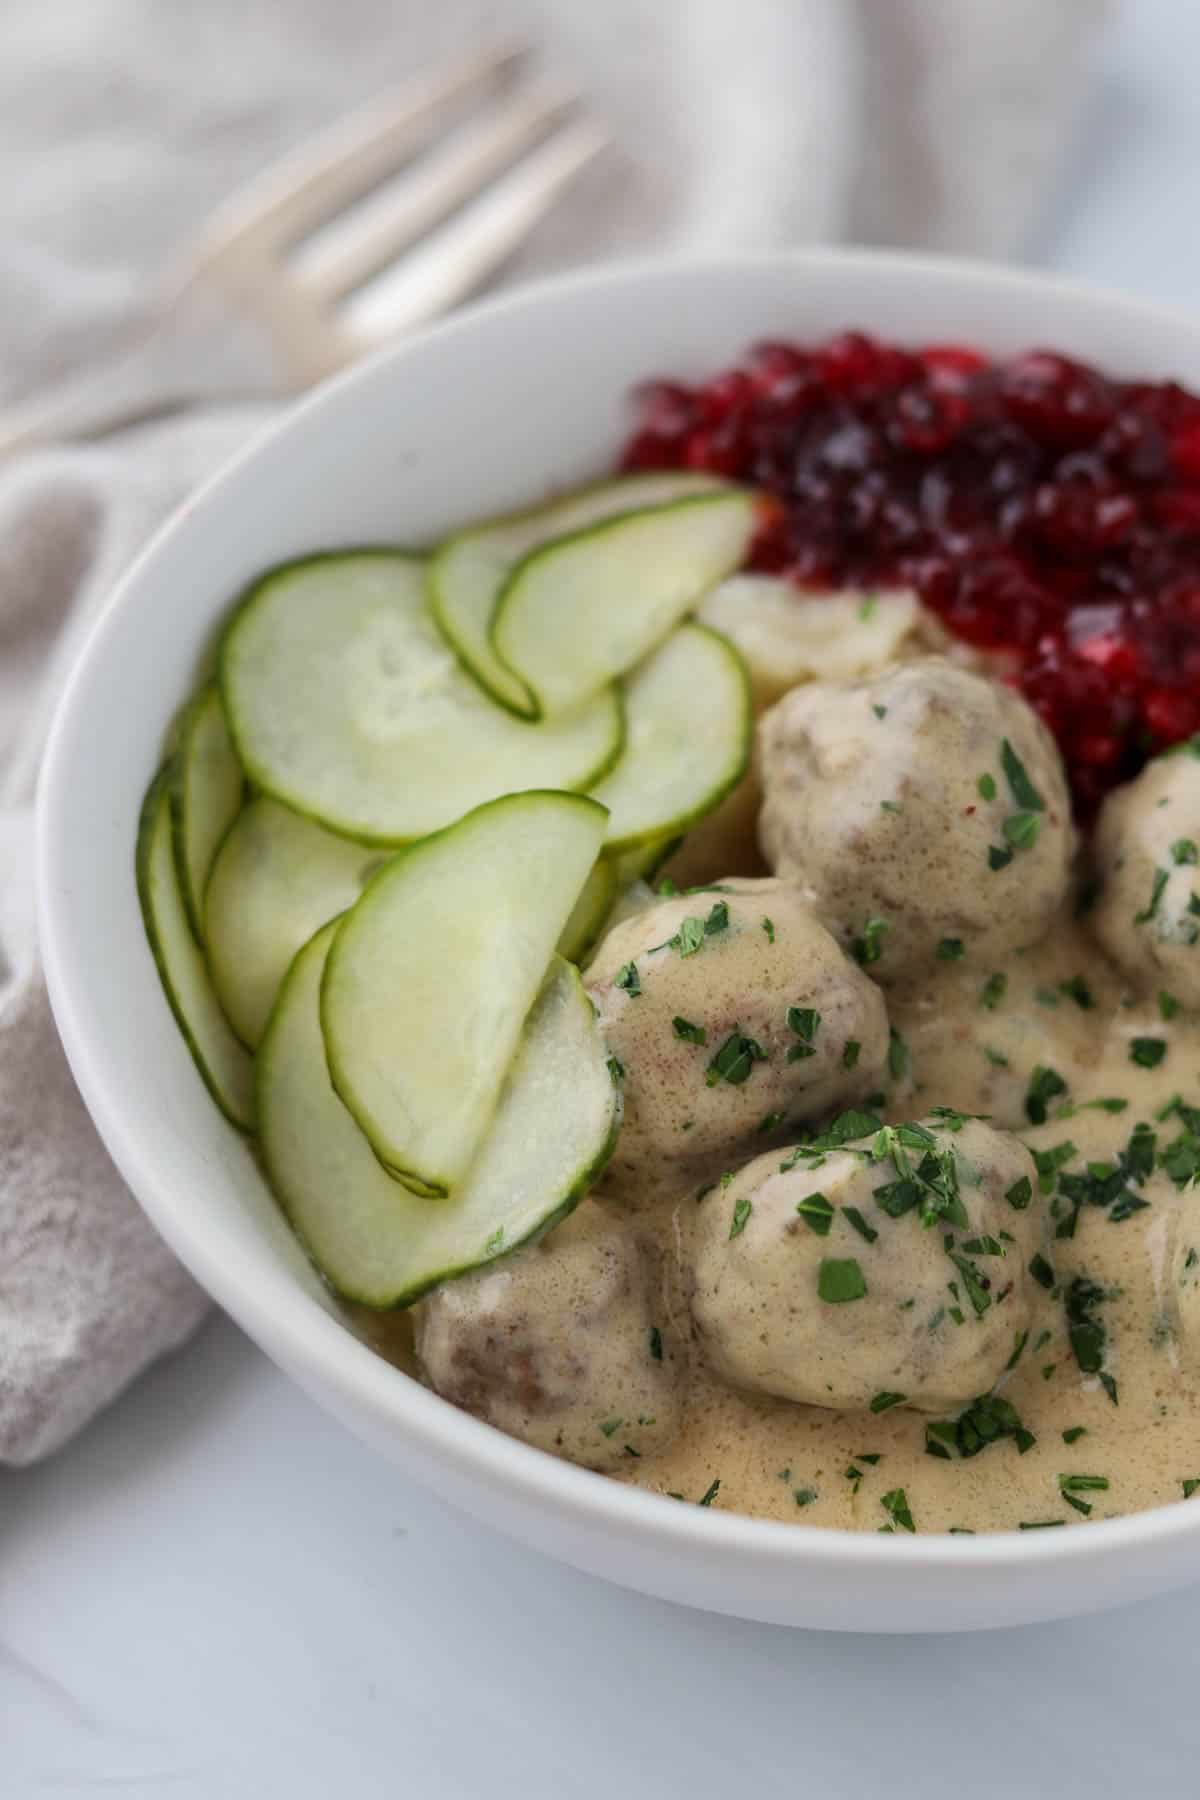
[[926, 811]]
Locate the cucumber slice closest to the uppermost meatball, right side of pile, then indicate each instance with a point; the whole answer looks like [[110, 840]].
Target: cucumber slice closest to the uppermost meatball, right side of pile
[[688, 733]]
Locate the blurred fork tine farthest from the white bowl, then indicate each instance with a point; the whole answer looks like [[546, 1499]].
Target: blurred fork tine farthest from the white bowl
[[307, 186]]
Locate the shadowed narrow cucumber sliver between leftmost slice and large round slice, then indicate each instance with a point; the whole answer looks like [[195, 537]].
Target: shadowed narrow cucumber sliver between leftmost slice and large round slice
[[206, 796]]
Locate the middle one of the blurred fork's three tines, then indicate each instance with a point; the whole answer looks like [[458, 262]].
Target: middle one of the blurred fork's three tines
[[364, 242]]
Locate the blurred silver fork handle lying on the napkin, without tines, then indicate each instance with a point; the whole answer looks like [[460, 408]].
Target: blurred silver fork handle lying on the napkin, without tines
[[174, 361]]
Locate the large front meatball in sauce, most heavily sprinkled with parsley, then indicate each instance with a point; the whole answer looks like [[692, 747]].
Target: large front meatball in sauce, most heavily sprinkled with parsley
[[895, 1266]]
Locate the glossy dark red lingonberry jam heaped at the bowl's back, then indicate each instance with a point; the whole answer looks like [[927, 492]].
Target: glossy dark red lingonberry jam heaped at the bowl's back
[[1039, 507]]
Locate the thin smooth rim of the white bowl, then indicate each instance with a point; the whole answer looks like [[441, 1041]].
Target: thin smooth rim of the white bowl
[[287, 1322]]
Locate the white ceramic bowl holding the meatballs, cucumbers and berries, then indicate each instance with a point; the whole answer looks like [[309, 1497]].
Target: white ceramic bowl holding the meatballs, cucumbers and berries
[[524, 395]]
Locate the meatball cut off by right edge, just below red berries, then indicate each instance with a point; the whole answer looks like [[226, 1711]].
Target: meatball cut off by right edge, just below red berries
[[1145, 854]]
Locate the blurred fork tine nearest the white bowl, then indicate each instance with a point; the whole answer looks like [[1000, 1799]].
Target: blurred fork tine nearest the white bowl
[[460, 260]]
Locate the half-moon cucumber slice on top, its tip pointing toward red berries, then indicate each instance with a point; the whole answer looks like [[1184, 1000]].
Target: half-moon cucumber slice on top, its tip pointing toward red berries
[[584, 609]]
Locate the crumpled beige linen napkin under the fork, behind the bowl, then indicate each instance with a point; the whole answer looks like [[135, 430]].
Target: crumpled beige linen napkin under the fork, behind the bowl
[[121, 121]]
